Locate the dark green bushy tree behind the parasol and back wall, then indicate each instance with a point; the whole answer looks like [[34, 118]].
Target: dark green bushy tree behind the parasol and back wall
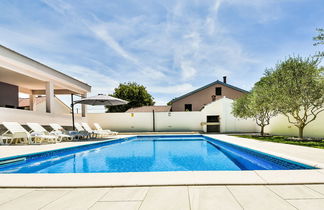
[[132, 92]]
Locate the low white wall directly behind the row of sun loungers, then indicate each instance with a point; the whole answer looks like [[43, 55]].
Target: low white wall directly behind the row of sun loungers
[[24, 116]]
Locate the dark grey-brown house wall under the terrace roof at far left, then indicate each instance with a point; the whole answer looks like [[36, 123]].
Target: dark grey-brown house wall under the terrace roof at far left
[[8, 95]]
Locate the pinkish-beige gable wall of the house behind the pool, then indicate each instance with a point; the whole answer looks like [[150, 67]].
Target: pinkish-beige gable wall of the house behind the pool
[[203, 97]]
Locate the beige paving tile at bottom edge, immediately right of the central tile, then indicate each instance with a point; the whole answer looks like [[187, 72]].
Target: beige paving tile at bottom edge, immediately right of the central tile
[[215, 197]]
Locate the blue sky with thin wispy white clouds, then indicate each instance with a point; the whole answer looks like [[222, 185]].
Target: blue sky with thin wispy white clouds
[[171, 47]]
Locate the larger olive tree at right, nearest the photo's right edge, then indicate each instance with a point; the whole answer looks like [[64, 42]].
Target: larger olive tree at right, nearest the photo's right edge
[[298, 85]]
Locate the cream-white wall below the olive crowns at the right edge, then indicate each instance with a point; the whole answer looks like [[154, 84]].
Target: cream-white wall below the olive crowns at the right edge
[[280, 126]]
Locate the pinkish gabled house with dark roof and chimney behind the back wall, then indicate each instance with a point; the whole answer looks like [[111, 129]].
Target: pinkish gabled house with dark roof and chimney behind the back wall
[[197, 99]]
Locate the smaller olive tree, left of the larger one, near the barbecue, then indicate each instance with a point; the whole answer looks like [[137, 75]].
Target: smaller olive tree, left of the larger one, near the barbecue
[[257, 104]]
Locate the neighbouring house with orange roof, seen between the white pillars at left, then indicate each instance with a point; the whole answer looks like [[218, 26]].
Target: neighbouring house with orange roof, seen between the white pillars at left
[[40, 105]]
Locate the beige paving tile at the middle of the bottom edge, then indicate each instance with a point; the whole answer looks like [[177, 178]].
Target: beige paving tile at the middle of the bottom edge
[[166, 198]]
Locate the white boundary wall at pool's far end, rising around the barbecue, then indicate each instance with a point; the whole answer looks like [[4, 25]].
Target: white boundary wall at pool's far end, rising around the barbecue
[[174, 121]]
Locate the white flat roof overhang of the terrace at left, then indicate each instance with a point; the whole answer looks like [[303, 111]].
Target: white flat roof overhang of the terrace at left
[[31, 76]]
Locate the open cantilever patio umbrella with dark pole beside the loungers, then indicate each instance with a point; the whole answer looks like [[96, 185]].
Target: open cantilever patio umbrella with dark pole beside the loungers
[[100, 99]]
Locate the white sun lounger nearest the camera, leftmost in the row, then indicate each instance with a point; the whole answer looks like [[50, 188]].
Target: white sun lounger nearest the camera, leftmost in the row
[[18, 134]]
